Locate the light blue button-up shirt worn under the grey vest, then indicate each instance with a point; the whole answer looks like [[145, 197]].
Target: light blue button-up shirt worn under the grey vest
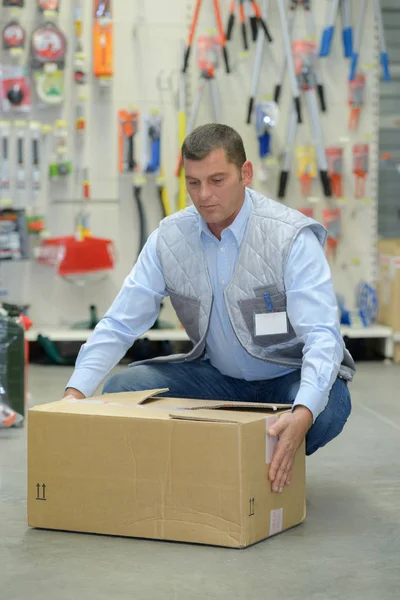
[[311, 308]]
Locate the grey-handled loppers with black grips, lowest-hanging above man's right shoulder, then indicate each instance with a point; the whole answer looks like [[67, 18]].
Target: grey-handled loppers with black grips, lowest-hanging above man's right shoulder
[[307, 83]]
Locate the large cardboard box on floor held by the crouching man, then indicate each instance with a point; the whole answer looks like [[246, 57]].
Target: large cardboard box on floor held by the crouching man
[[186, 470]]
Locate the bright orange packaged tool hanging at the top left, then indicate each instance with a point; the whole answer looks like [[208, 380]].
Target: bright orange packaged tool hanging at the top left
[[103, 68]]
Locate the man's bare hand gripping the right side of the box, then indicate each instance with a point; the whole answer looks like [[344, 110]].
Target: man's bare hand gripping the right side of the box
[[291, 428]]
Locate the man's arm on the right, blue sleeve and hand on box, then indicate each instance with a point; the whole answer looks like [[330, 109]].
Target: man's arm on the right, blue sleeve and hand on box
[[312, 310]]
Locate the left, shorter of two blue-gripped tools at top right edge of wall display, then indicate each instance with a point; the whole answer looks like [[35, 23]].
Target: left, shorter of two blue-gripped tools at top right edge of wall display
[[329, 29]]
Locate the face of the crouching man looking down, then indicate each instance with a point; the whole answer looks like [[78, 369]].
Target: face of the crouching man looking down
[[216, 186]]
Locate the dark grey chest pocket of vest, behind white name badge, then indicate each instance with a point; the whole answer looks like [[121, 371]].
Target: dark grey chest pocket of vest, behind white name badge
[[258, 306]]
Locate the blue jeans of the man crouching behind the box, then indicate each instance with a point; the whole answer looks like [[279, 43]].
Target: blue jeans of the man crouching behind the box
[[199, 379]]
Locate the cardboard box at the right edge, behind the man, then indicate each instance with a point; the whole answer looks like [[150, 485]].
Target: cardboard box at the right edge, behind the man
[[389, 283]]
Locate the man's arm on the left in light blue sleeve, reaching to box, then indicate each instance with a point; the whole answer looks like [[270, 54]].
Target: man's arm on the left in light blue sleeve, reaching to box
[[132, 313]]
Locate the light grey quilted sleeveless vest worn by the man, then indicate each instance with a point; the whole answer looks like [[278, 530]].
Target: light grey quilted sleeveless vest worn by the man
[[270, 233]]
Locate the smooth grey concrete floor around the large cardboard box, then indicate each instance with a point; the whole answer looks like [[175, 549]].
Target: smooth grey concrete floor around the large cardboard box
[[348, 548]]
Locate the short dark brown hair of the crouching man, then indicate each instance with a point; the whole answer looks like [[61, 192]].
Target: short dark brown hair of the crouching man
[[206, 138]]
